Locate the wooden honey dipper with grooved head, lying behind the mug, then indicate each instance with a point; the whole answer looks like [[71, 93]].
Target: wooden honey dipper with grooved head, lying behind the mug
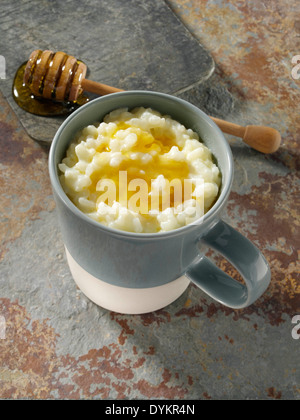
[[61, 77]]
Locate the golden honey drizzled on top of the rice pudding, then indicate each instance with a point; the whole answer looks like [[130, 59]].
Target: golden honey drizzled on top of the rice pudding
[[136, 170]]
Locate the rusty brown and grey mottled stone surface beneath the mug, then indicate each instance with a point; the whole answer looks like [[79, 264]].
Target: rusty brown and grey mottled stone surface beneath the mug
[[54, 343]]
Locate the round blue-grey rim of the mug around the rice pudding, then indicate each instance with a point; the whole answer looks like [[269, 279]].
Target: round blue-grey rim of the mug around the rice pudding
[[208, 216]]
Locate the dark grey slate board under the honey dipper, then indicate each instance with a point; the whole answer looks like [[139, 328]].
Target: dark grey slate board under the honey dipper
[[139, 45]]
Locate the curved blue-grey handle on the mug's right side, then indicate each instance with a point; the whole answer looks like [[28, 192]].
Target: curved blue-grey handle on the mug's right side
[[244, 256]]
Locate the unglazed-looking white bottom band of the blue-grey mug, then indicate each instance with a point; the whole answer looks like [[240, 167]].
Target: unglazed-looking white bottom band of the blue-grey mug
[[125, 300]]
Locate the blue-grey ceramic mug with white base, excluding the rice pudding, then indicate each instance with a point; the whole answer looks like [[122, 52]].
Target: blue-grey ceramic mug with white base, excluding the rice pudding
[[136, 273]]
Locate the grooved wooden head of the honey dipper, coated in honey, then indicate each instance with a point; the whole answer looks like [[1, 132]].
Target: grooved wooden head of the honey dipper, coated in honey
[[55, 76]]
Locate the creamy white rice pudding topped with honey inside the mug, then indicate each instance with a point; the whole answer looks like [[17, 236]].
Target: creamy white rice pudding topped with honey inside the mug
[[140, 171]]
